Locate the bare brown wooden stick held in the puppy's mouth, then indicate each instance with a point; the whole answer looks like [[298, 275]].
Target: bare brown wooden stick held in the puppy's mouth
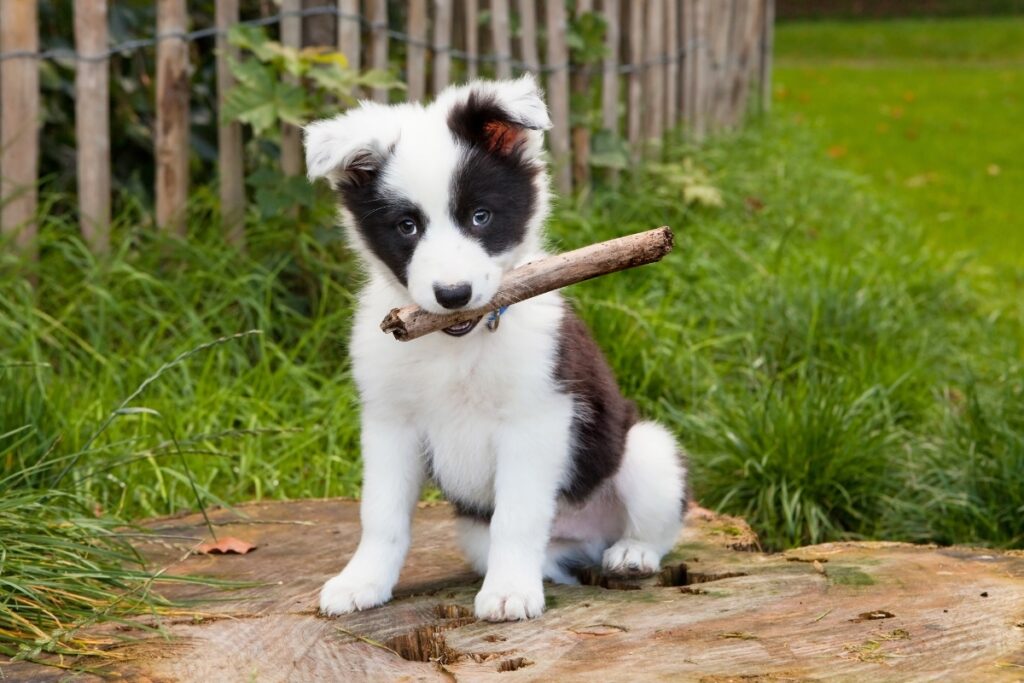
[[540, 277]]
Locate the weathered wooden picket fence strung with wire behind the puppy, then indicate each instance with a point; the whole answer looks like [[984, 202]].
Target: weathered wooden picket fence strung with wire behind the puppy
[[667, 64]]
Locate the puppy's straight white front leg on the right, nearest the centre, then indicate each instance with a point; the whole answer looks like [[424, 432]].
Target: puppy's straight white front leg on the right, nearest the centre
[[532, 459]]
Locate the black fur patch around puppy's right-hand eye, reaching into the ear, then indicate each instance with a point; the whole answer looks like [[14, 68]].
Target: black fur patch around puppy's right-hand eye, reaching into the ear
[[495, 175]]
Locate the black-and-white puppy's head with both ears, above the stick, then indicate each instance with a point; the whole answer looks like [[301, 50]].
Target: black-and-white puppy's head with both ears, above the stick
[[444, 198]]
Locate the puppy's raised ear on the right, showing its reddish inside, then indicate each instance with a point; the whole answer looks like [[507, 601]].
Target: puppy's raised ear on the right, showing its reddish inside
[[502, 117]]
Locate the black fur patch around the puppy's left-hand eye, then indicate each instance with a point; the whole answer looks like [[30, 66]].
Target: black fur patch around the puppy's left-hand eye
[[376, 215]]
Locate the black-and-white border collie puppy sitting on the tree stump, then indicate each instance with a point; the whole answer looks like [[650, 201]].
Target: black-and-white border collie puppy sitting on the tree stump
[[523, 426]]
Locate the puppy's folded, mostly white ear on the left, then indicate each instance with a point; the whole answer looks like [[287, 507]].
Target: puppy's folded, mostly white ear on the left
[[351, 149]]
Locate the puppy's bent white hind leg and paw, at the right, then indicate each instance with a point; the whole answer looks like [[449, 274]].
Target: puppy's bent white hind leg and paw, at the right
[[651, 485]]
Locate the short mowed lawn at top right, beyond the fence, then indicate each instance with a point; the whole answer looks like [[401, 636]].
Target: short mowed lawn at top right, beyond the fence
[[932, 111]]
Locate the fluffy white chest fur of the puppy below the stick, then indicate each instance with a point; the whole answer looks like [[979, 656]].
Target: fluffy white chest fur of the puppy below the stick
[[461, 393]]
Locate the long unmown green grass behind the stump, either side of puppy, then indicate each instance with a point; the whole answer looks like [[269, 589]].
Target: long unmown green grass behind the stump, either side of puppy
[[832, 375]]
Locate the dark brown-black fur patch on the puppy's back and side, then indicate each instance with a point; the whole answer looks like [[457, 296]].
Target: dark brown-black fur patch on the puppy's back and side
[[606, 417]]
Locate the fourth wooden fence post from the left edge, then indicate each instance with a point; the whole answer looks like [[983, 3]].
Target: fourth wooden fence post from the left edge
[[231, 168]]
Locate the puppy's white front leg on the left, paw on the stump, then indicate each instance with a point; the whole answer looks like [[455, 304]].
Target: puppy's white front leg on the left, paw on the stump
[[393, 476]]
